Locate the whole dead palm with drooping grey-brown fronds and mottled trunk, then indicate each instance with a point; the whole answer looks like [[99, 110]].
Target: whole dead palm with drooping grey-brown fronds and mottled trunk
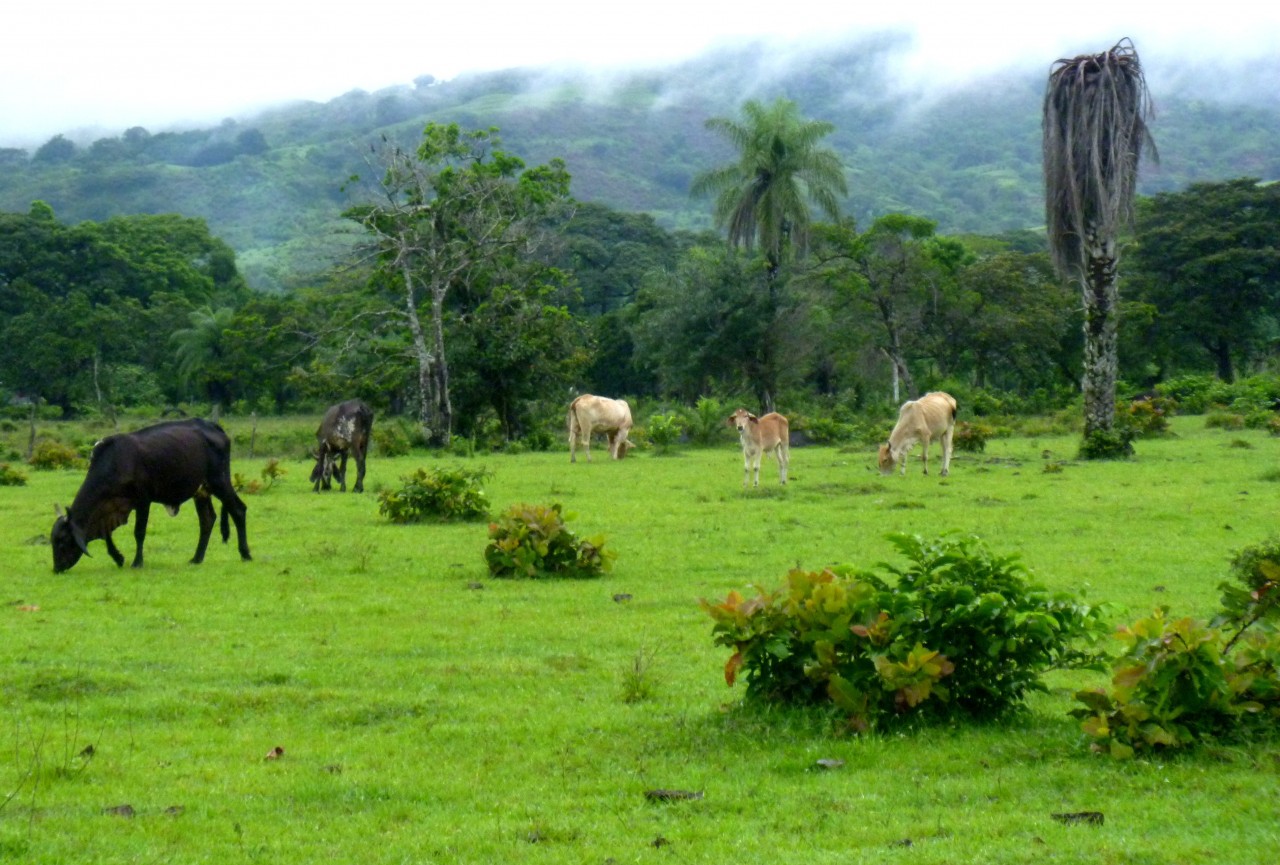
[[1096, 112]]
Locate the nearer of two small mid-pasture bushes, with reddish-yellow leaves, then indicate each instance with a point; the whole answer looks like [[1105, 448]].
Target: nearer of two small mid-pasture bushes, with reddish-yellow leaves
[[532, 541]]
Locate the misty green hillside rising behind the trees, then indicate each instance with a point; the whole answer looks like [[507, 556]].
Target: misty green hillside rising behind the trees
[[273, 185]]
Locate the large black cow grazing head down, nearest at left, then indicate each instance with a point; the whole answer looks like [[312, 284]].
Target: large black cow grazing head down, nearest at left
[[168, 464]]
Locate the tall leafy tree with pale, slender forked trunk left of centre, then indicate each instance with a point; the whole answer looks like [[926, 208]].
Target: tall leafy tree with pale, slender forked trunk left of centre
[[454, 217]]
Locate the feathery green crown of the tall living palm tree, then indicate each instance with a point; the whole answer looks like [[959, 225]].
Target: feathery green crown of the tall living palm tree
[[762, 198]]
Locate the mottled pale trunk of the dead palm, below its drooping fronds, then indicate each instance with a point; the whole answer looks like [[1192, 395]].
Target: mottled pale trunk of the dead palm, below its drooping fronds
[[1101, 347]]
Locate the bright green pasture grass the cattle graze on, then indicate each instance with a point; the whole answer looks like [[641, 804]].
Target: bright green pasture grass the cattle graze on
[[432, 715]]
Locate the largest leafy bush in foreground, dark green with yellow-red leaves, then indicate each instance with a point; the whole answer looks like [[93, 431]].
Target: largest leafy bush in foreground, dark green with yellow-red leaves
[[959, 631]]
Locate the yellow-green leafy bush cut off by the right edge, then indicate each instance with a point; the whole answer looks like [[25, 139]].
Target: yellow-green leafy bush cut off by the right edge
[[1186, 681]]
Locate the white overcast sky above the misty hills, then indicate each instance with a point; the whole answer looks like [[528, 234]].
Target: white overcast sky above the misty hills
[[92, 68]]
